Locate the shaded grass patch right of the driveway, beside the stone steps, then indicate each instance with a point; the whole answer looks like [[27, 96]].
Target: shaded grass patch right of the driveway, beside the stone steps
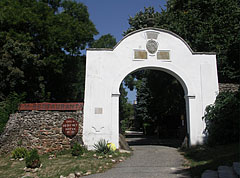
[[201, 158]]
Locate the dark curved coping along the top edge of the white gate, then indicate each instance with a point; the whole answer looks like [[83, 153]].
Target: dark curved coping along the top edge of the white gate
[[154, 29]]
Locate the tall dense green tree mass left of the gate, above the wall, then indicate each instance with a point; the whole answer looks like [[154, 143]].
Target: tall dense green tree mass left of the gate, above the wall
[[41, 43]]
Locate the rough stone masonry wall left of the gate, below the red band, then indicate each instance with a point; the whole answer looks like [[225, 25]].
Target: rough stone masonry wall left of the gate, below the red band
[[39, 129]]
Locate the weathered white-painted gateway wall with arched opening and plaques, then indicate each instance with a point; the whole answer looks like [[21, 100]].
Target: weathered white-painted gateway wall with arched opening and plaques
[[106, 68]]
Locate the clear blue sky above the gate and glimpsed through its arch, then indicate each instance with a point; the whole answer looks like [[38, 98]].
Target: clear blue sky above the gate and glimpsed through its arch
[[111, 16]]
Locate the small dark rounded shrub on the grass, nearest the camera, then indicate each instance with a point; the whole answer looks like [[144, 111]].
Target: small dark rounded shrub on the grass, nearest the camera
[[32, 159]]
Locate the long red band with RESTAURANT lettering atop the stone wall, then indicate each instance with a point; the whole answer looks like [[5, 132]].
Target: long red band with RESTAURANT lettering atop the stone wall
[[51, 107]]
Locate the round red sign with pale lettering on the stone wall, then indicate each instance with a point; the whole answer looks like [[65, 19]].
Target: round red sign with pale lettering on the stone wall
[[70, 127]]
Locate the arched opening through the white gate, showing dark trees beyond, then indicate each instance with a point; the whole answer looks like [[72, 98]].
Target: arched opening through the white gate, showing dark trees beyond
[[159, 114]]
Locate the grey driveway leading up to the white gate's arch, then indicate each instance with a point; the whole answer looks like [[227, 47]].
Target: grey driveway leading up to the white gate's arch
[[148, 161]]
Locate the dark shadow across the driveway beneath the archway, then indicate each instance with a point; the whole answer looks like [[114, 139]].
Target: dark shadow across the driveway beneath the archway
[[138, 139]]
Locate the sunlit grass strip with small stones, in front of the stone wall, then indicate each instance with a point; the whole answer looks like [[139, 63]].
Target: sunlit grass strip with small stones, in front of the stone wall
[[63, 164]]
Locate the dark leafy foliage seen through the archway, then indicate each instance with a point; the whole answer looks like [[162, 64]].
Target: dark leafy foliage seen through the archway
[[160, 101]]
